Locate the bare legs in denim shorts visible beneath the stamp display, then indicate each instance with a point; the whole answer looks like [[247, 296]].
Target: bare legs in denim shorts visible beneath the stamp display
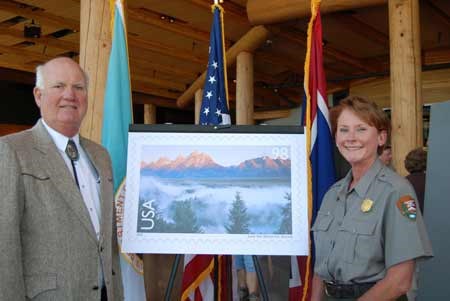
[[247, 279]]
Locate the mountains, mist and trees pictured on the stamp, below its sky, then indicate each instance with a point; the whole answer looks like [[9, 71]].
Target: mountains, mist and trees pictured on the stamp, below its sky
[[195, 194]]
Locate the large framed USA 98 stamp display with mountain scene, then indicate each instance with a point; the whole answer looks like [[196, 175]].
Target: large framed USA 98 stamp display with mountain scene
[[206, 190]]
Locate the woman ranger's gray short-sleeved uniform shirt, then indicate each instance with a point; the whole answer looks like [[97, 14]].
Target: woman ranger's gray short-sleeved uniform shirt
[[356, 244]]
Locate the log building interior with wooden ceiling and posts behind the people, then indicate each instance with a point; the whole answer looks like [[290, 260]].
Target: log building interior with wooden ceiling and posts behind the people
[[394, 52]]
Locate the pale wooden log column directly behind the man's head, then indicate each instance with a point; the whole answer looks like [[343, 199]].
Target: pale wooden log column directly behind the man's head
[[95, 46]]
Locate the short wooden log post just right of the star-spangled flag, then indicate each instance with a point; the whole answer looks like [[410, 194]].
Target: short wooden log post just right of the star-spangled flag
[[244, 88]]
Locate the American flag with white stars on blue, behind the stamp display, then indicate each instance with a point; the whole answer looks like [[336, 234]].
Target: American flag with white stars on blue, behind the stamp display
[[198, 276]]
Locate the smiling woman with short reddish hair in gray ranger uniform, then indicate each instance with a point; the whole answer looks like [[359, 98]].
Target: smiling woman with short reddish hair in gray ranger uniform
[[368, 233]]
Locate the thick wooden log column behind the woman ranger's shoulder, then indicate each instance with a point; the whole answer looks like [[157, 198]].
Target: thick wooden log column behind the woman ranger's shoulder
[[406, 85]]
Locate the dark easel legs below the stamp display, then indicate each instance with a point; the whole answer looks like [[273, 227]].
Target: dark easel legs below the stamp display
[[176, 263]]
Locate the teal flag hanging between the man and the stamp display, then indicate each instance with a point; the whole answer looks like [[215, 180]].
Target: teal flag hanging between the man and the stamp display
[[117, 116]]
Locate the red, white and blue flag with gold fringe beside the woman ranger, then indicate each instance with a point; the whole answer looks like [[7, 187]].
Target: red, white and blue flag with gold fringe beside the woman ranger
[[320, 146]]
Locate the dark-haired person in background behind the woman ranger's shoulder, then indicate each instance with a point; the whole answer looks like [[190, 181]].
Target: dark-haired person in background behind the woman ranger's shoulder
[[416, 164]]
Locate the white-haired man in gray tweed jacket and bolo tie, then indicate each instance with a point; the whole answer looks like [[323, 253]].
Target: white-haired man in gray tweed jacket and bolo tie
[[57, 218]]
